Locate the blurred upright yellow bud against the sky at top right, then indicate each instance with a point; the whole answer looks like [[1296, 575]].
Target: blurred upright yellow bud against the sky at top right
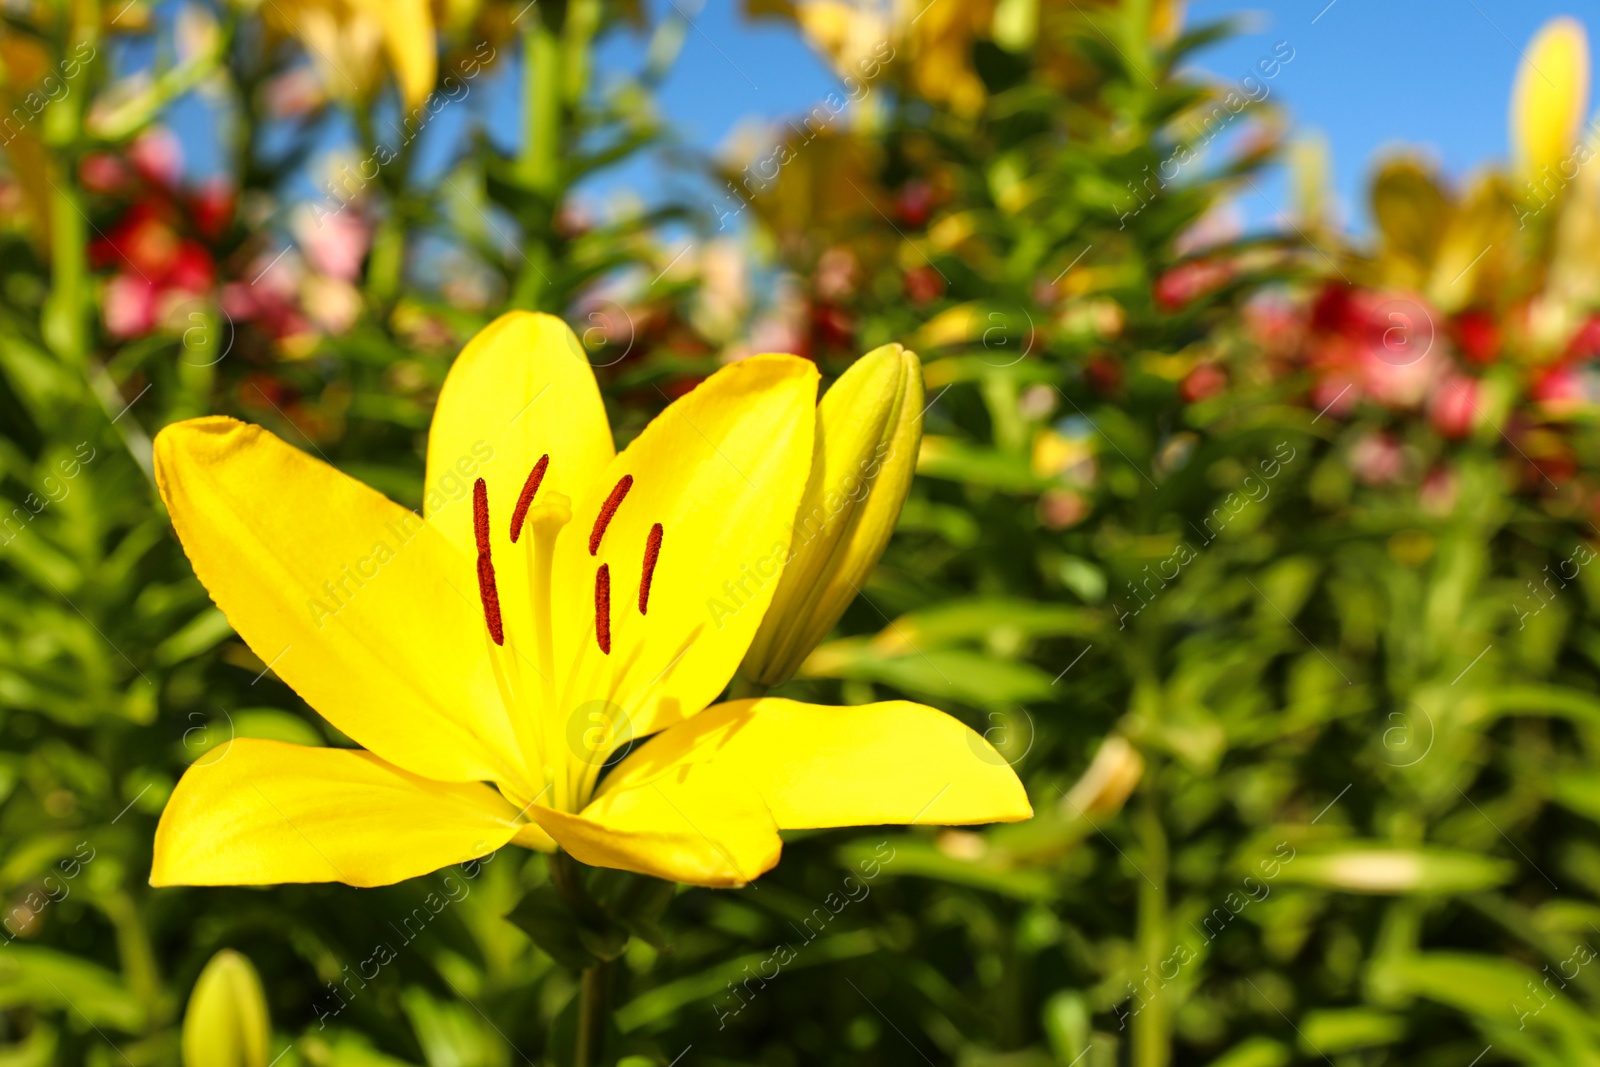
[[1550, 98]]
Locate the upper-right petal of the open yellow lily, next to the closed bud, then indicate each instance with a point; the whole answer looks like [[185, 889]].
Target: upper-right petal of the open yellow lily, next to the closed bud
[[722, 471]]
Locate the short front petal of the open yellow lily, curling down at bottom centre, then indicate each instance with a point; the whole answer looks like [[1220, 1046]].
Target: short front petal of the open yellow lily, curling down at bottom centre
[[710, 831]]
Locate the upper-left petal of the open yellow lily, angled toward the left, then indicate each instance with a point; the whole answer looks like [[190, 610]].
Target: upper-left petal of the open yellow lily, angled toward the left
[[346, 596]]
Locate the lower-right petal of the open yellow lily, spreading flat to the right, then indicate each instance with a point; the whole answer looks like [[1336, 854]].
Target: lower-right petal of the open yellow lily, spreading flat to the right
[[830, 767]]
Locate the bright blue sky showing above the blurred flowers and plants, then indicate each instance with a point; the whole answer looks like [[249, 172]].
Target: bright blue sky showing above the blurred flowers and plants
[[1367, 74]]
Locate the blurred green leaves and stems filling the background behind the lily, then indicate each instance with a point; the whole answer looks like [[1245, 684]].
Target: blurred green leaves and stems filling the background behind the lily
[[1366, 823]]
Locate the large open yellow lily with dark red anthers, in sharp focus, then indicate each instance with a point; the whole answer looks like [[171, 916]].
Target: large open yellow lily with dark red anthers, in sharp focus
[[550, 610]]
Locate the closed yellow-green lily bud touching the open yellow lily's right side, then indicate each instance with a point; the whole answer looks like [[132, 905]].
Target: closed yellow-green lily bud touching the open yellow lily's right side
[[870, 430]]
